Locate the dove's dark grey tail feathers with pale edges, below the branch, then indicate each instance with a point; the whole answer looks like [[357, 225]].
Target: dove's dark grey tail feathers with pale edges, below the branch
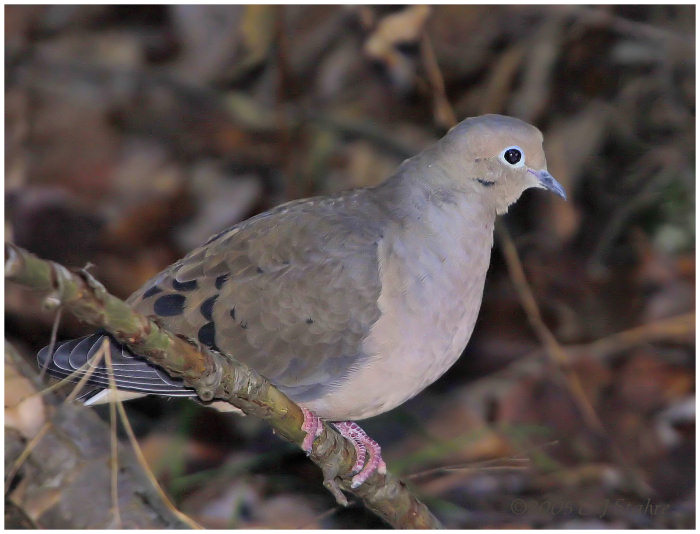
[[131, 372]]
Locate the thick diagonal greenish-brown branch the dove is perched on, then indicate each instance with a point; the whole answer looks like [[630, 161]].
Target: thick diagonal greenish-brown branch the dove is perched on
[[214, 376]]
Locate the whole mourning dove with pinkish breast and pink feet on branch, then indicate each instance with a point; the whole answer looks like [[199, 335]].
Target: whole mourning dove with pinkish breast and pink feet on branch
[[350, 304]]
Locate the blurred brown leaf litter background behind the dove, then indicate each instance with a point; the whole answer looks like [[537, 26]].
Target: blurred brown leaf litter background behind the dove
[[134, 133]]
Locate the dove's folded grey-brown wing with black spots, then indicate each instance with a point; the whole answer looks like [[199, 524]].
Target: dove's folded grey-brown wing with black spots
[[291, 292]]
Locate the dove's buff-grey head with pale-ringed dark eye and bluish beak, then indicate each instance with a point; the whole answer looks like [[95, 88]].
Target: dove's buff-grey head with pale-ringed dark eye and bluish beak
[[496, 157]]
